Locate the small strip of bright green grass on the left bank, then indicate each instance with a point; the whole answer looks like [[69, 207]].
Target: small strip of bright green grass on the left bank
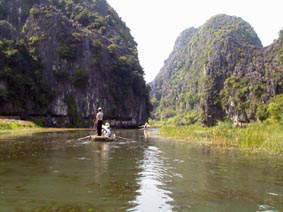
[[10, 124]]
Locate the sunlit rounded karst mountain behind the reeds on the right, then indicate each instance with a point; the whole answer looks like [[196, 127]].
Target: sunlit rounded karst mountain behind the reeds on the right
[[219, 70]]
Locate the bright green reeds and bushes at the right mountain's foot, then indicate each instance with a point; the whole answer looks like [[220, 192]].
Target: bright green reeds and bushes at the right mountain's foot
[[264, 135]]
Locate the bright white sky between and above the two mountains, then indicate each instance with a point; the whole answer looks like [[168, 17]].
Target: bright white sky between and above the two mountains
[[156, 24]]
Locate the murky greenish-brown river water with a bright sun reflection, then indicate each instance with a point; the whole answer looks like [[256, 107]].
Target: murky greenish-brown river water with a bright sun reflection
[[52, 171]]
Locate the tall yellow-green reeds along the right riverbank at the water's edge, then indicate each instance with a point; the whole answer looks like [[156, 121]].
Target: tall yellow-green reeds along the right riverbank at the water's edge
[[255, 136]]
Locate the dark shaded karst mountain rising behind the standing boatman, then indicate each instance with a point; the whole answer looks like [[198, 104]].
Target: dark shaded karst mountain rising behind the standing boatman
[[62, 59]]
